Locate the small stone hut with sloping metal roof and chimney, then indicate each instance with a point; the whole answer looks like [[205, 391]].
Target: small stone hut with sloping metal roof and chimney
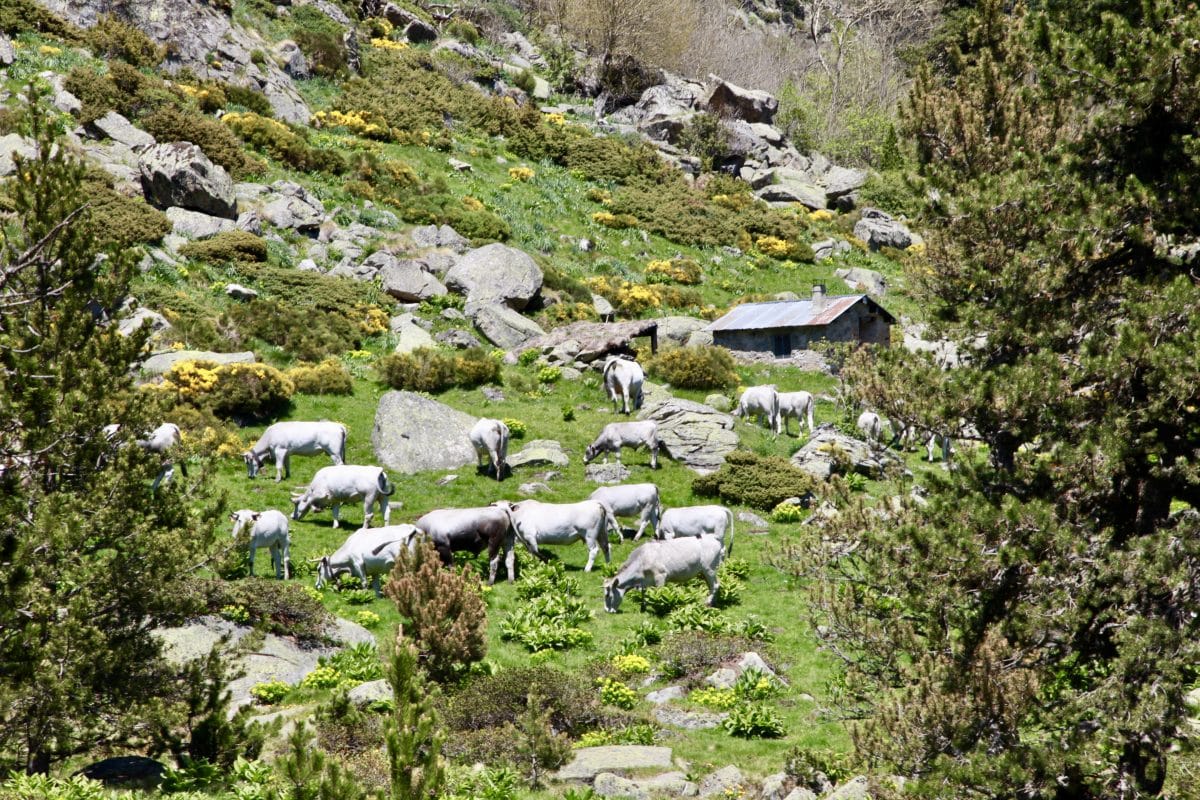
[[788, 326]]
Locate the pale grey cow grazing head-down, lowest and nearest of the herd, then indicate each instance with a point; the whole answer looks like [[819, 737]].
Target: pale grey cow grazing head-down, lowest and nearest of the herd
[[658, 563]]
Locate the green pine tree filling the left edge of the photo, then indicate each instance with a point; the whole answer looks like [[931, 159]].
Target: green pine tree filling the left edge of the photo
[[87, 560]]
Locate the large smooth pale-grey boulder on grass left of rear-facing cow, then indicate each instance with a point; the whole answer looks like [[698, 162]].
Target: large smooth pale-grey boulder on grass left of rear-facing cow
[[416, 434]]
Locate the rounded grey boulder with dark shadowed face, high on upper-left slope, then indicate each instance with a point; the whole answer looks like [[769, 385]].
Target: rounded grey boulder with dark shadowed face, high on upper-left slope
[[181, 175]]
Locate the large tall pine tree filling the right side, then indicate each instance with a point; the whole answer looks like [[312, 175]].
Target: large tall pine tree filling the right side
[[1031, 631]]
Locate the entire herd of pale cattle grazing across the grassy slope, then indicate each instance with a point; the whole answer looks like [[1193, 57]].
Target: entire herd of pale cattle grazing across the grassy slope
[[688, 542]]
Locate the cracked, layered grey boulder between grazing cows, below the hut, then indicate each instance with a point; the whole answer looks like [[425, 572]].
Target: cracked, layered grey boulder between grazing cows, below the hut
[[694, 435]]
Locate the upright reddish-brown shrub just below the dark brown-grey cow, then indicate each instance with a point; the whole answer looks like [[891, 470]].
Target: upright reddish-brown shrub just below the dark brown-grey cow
[[446, 612]]
